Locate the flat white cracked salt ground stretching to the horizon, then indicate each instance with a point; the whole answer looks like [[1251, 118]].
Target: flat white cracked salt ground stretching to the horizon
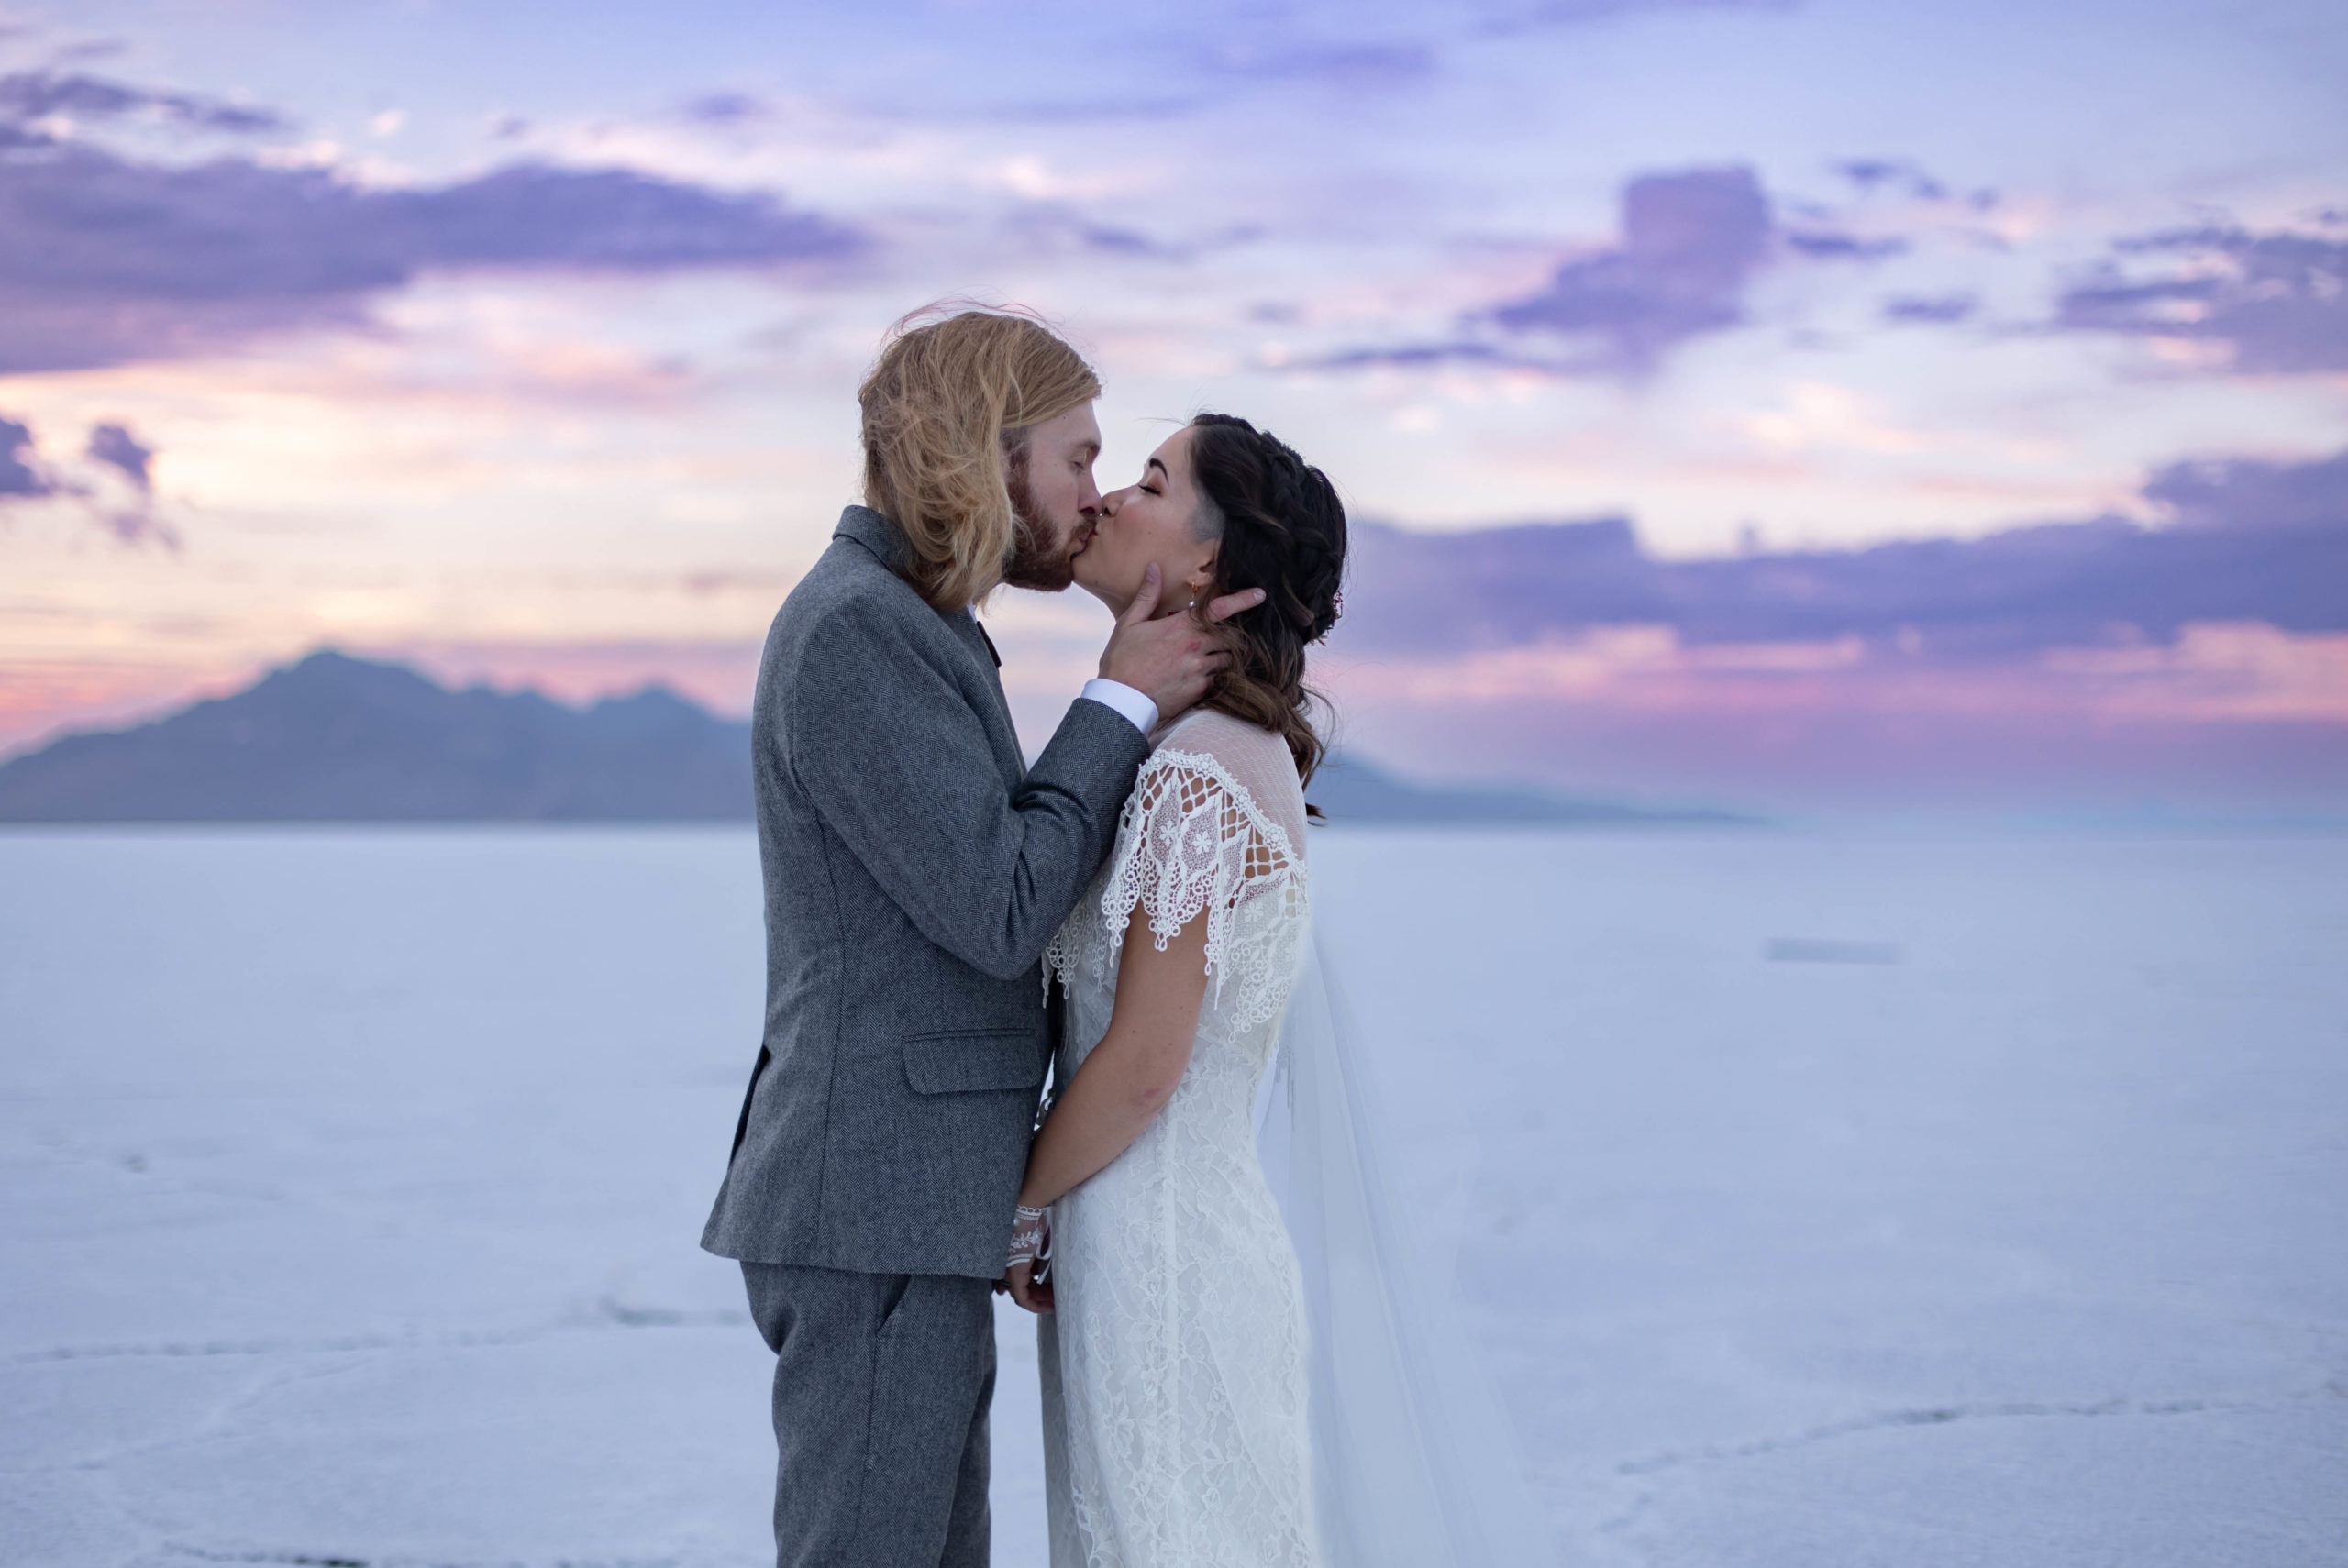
[[1816, 1201]]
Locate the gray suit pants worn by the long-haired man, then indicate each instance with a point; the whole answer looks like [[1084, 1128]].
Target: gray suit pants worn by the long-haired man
[[882, 1393]]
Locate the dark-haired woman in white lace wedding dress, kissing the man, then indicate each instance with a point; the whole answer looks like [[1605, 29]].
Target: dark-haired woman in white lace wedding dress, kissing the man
[[1173, 1341]]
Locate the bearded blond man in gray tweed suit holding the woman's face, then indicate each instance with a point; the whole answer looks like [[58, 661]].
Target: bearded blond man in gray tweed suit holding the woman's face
[[915, 872]]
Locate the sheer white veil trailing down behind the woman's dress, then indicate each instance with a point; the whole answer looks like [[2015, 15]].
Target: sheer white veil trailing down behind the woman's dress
[[1412, 1459]]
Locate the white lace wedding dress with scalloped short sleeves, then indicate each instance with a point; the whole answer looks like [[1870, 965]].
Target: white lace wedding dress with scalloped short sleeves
[[1175, 1403]]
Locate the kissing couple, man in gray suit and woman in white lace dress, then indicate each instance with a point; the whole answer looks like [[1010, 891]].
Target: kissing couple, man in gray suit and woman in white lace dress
[[947, 926]]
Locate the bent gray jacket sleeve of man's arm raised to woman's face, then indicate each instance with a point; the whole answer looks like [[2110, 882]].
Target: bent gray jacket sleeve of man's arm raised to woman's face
[[898, 764]]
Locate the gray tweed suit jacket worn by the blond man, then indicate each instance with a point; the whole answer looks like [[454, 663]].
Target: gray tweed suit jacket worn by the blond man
[[915, 874]]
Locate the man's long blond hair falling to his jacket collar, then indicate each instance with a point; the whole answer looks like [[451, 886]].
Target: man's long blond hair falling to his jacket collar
[[945, 417]]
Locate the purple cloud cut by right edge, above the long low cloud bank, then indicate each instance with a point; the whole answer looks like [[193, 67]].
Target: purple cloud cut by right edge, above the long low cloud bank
[[2272, 304]]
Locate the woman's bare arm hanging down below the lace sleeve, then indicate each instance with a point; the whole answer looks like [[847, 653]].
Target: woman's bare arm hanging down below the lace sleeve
[[1133, 1072]]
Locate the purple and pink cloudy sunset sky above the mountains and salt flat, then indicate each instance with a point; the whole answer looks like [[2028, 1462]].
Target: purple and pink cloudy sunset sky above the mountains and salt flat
[[522, 342]]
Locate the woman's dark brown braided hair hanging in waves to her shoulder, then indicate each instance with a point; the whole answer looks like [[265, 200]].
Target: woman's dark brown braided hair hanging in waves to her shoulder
[[1283, 532]]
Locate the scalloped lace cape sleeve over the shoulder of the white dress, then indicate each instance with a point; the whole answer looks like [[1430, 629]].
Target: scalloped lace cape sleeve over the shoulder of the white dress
[[1192, 839]]
